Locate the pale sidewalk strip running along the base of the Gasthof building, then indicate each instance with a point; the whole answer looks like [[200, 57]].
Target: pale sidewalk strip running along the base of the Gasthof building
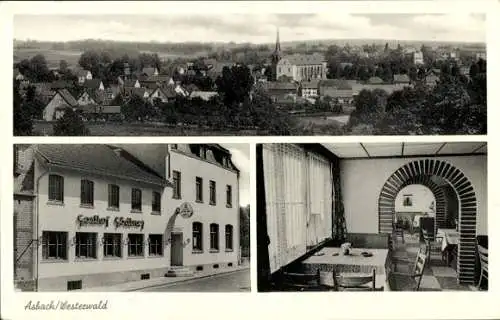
[[162, 281]]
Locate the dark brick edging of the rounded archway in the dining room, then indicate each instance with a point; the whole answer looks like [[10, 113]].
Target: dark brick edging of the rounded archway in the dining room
[[422, 172]]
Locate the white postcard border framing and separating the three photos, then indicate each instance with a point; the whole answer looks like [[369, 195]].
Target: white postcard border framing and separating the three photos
[[459, 305]]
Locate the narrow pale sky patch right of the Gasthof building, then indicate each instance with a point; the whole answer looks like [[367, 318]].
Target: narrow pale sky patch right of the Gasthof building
[[241, 159]]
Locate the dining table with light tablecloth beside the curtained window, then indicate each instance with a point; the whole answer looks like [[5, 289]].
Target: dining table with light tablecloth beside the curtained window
[[327, 262]]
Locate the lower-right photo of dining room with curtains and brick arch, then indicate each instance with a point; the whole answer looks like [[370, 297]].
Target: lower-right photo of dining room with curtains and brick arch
[[372, 217]]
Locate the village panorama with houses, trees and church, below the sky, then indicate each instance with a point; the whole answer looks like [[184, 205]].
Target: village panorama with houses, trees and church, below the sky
[[324, 87]]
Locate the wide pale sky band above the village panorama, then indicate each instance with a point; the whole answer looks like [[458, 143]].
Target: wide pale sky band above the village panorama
[[253, 28]]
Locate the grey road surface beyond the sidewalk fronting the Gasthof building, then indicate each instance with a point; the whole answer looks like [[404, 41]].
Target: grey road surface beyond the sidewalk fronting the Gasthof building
[[238, 281]]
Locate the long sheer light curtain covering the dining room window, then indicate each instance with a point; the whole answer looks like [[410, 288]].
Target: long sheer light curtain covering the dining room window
[[298, 191]]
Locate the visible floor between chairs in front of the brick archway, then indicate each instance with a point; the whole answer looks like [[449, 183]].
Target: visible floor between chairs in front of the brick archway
[[437, 275]]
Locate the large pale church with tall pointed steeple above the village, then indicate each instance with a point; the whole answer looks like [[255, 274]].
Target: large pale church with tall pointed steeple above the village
[[297, 67]]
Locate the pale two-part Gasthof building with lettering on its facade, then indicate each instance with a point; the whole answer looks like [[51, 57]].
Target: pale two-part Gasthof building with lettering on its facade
[[97, 215]]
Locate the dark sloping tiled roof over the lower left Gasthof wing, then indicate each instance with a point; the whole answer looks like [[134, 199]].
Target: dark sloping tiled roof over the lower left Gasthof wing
[[96, 159]]
